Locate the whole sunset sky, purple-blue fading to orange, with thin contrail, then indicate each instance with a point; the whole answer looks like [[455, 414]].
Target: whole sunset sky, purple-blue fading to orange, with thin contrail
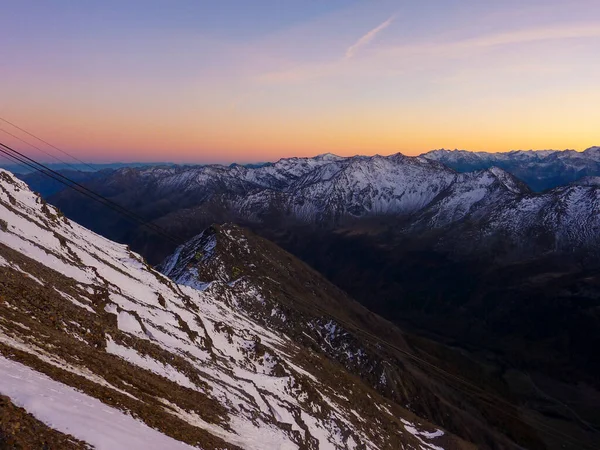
[[224, 81]]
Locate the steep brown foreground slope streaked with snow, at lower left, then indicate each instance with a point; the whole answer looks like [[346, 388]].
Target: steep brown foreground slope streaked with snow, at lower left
[[97, 345]]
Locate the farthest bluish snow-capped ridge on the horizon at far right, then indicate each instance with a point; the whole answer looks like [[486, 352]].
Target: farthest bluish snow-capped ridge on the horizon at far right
[[541, 170]]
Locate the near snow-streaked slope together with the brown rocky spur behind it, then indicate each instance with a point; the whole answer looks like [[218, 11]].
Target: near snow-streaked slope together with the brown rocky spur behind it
[[236, 344]]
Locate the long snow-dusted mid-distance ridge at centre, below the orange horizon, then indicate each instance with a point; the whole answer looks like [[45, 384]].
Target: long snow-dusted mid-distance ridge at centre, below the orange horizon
[[327, 187]]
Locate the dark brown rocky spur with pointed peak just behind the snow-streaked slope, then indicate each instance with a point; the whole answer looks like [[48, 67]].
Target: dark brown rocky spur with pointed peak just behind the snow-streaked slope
[[300, 303]]
